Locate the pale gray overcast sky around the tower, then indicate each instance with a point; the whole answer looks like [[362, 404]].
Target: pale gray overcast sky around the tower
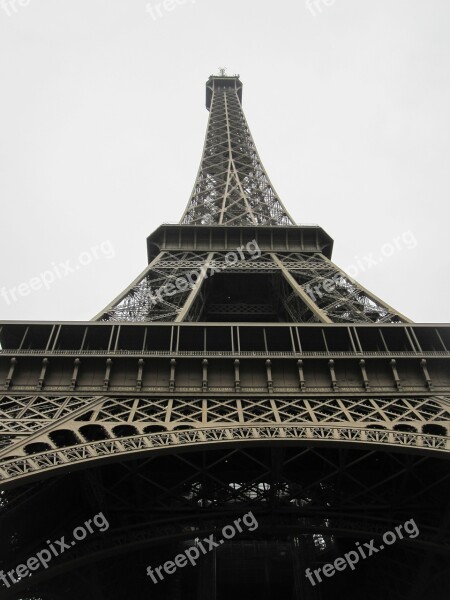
[[102, 122]]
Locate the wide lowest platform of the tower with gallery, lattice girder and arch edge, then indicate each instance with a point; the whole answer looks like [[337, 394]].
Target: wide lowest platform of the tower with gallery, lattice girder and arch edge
[[162, 386]]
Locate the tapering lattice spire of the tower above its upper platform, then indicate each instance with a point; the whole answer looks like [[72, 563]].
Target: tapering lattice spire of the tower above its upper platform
[[232, 186]]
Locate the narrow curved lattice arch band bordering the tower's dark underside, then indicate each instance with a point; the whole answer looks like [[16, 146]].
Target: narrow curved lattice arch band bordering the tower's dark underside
[[38, 462]]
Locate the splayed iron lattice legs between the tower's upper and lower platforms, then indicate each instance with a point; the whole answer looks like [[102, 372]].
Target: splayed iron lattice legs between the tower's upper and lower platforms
[[297, 284]]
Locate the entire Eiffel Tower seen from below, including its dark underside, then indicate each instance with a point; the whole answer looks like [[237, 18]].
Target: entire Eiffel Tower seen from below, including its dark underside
[[242, 372]]
